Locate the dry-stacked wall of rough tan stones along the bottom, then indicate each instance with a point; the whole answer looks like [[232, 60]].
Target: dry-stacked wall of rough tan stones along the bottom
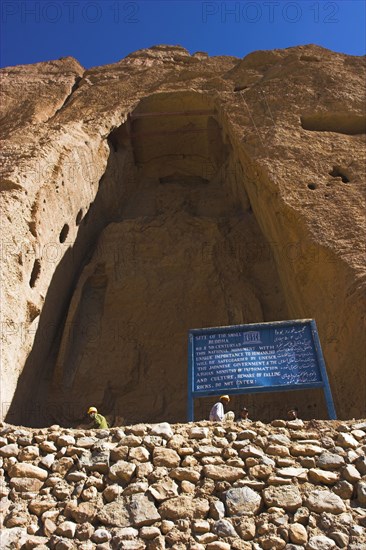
[[248, 486]]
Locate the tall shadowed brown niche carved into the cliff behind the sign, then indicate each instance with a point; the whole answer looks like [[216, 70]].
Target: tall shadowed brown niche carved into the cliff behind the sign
[[178, 246]]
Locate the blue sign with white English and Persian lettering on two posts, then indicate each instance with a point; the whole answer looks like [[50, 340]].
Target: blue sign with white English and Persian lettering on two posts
[[285, 355]]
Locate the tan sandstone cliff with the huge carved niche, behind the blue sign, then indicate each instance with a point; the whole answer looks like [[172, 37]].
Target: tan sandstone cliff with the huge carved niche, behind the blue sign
[[169, 192]]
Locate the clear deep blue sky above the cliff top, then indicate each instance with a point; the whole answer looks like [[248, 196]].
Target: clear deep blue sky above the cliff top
[[97, 32]]
